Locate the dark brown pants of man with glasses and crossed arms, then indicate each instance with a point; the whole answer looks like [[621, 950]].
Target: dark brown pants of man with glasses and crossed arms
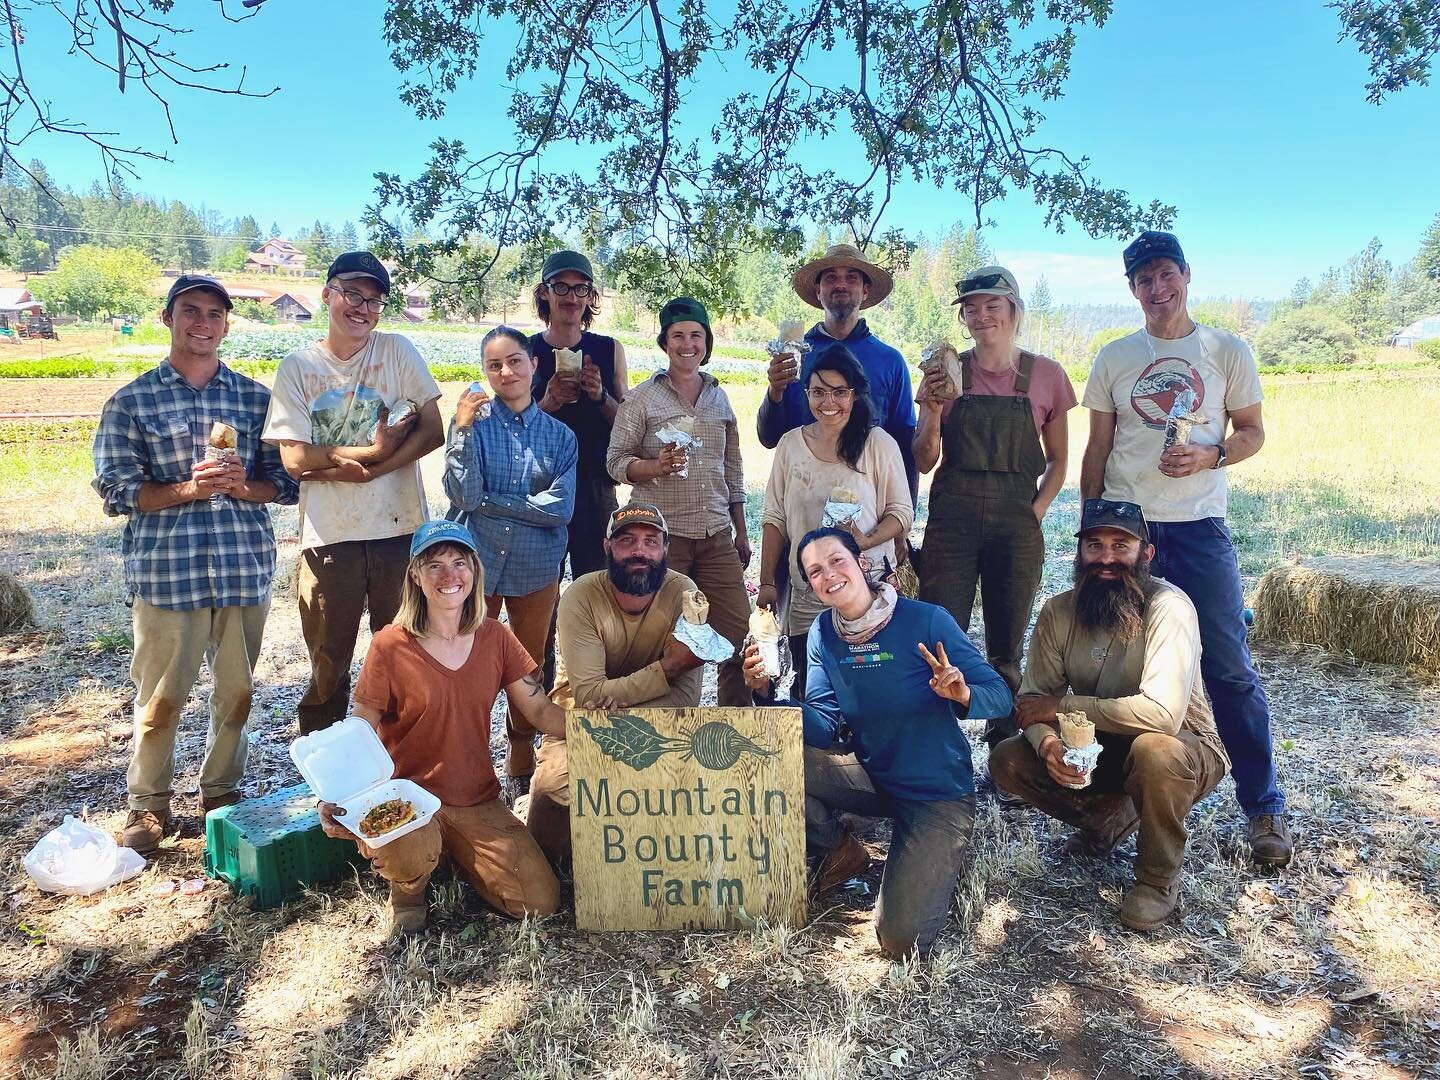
[[336, 584]]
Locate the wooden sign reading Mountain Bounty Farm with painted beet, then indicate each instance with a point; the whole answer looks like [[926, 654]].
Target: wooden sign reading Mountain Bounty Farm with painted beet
[[688, 819]]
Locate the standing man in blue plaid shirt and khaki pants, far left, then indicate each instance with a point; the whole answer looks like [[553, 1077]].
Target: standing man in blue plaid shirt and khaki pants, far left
[[198, 545]]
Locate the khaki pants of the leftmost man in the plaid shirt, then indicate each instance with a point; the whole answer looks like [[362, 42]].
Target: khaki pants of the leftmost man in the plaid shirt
[[169, 650]]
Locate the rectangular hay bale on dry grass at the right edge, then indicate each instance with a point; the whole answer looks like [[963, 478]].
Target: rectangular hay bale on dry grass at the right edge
[[1373, 608]]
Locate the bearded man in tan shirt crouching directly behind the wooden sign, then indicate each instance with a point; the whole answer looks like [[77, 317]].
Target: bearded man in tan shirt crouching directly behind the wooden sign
[[617, 652]]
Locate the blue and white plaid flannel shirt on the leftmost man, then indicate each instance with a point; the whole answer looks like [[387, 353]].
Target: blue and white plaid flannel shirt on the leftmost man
[[212, 554]]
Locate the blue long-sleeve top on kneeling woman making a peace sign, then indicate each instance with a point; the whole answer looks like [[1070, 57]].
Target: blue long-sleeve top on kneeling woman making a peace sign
[[905, 735]]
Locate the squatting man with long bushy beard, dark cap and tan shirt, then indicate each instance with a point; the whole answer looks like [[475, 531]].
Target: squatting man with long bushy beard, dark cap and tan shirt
[[1124, 649]]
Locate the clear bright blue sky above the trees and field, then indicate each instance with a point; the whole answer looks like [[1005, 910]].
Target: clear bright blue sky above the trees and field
[[1249, 117]]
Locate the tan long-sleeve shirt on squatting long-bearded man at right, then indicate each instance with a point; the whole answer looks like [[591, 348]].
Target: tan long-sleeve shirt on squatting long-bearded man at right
[[1148, 685]]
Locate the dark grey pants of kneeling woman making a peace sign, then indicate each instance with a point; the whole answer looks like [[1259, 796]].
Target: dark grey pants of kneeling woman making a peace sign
[[930, 845]]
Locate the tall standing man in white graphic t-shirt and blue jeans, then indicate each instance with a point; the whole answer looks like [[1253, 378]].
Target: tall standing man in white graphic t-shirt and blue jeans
[[1174, 369]]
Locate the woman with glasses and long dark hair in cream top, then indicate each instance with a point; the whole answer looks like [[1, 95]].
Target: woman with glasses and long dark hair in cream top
[[843, 459]]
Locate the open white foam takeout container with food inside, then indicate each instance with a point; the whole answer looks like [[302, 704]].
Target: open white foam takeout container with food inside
[[346, 764]]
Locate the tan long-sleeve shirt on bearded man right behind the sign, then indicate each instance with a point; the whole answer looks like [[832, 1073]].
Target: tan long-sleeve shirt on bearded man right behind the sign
[[604, 652]]
